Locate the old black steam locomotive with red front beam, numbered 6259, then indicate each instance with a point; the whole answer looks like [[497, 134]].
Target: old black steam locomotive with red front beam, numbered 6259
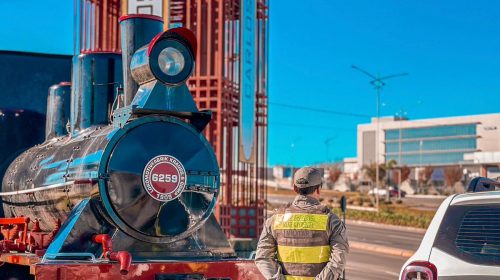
[[125, 183]]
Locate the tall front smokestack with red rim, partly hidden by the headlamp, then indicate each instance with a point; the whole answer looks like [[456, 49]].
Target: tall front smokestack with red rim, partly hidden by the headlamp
[[136, 31]]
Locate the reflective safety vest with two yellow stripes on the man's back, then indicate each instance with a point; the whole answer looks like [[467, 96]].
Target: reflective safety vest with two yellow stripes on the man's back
[[303, 242]]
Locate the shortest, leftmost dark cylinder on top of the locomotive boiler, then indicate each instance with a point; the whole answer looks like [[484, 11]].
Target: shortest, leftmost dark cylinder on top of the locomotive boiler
[[58, 110]]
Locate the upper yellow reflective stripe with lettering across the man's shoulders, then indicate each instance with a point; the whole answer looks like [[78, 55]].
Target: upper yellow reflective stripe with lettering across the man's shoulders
[[300, 221]]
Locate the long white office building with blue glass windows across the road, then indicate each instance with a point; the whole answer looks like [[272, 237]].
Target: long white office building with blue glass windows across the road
[[469, 141]]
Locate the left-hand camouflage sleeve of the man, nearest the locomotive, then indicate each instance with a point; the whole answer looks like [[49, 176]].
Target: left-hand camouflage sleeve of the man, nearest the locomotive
[[265, 257]]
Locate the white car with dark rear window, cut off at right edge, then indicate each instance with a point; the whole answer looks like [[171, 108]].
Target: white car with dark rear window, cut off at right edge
[[463, 240]]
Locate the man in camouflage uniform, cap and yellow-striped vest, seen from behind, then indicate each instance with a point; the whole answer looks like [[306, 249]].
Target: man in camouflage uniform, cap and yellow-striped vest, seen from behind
[[303, 240]]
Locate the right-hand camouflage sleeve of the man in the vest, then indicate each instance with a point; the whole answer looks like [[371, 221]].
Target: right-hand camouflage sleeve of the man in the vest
[[339, 246]]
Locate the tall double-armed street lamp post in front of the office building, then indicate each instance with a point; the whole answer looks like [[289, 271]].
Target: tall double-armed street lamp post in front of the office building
[[378, 83]]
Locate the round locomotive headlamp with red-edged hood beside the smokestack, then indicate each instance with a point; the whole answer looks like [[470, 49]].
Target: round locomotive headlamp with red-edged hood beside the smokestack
[[169, 58]]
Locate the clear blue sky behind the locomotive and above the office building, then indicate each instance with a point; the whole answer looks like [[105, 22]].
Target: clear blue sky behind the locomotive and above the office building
[[450, 48]]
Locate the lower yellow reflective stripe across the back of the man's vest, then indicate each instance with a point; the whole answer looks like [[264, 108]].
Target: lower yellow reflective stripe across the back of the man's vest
[[313, 254]]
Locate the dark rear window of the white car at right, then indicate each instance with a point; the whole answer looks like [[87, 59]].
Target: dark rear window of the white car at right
[[471, 233]]
